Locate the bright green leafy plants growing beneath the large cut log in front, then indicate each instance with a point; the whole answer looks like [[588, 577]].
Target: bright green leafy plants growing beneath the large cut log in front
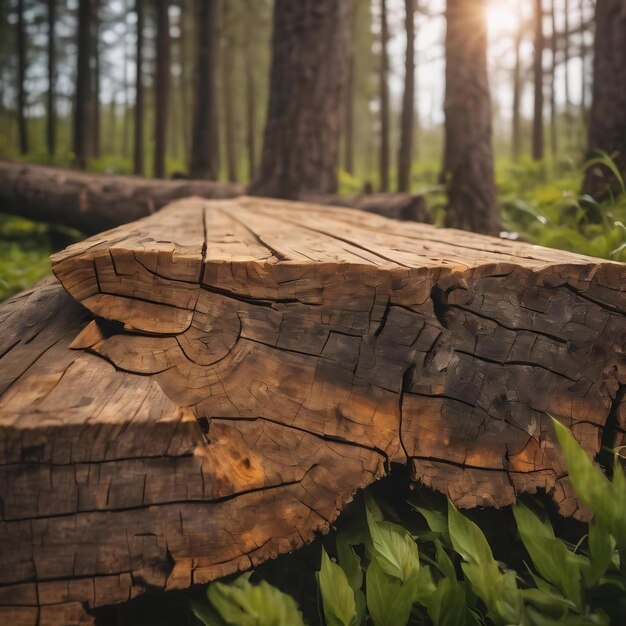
[[386, 575]]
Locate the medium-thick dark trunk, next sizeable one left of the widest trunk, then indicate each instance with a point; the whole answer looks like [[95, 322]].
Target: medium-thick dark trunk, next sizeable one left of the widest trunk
[[204, 161]]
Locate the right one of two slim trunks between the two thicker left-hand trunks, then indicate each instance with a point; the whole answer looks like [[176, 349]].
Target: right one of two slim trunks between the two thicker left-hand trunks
[[161, 86]]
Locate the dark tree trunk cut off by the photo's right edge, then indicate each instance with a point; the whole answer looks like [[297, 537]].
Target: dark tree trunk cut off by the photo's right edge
[[607, 123]]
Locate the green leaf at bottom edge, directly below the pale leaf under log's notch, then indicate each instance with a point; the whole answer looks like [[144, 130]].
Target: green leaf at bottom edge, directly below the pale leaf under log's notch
[[389, 601]]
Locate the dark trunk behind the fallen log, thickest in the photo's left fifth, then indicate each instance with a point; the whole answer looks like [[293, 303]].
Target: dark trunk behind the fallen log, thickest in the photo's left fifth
[[83, 104]]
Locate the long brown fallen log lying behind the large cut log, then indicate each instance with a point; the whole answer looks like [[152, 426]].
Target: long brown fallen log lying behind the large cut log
[[92, 203]]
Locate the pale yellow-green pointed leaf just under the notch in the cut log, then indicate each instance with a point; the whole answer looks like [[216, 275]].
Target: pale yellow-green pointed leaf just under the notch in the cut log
[[394, 548]]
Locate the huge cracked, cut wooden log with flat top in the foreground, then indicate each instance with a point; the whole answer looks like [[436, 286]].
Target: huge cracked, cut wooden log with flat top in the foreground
[[210, 385]]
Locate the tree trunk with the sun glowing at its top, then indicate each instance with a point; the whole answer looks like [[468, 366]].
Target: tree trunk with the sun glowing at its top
[[468, 161]]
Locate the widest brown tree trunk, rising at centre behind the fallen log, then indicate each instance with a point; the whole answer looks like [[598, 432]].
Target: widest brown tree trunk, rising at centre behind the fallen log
[[310, 46]]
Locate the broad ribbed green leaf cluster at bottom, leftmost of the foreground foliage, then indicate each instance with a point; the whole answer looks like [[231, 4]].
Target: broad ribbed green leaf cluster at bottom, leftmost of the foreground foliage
[[241, 603]]
